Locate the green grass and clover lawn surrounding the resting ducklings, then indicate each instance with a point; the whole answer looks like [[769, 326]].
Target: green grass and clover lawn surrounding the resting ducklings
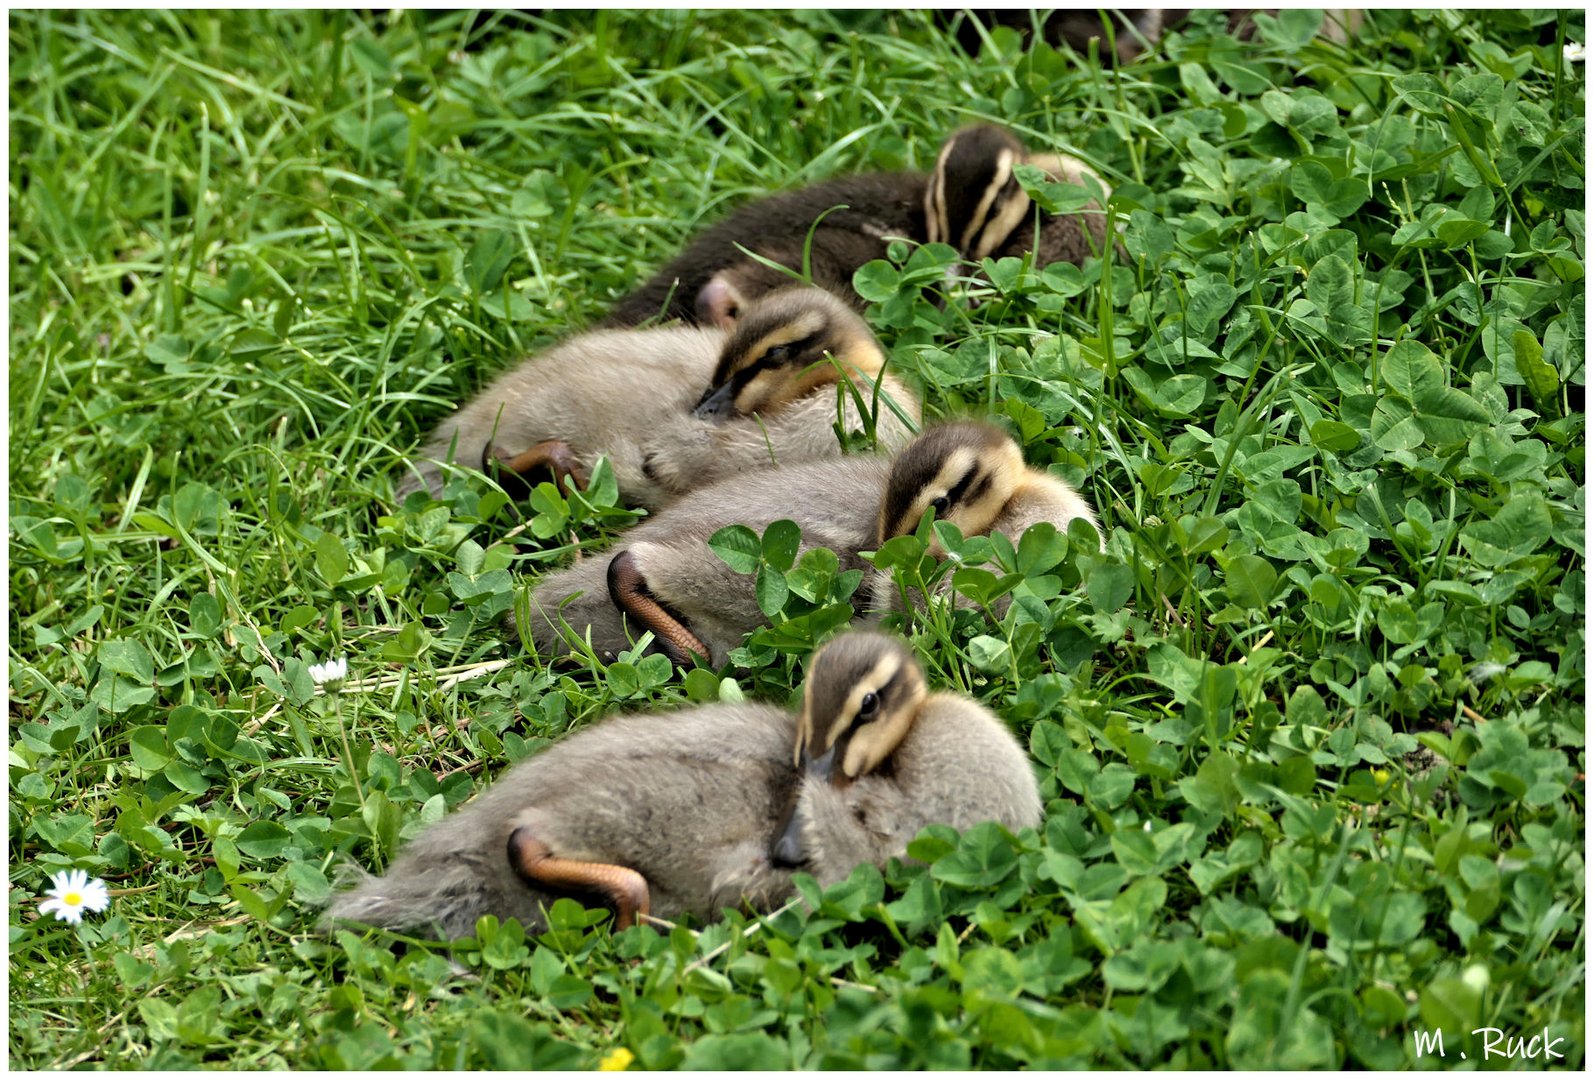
[[1311, 730]]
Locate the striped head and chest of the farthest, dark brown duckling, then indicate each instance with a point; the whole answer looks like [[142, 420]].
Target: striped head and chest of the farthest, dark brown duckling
[[975, 203]]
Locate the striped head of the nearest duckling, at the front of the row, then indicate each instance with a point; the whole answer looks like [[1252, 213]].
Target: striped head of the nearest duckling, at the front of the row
[[862, 698]]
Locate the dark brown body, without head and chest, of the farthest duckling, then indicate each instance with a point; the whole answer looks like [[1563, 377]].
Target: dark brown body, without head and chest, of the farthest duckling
[[712, 280]]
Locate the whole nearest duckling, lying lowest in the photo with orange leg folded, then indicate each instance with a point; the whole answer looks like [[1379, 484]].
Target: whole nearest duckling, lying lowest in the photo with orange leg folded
[[697, 810]]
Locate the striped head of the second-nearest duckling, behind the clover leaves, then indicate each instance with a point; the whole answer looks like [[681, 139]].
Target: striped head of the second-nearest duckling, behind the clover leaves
[[967, 472]]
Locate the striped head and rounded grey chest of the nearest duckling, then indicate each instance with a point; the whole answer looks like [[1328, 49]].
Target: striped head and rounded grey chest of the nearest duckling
[[882, 757]]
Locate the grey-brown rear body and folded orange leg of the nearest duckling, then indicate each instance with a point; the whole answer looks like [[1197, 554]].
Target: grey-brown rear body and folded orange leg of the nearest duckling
[[651, 813]]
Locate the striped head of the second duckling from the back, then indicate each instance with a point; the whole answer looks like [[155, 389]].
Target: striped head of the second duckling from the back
[[782, 350]]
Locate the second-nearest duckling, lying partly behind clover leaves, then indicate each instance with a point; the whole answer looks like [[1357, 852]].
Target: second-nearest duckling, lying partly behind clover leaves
[[667, 581]]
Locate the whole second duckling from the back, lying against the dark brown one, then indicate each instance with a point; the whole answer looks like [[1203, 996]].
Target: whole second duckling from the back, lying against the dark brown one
[[680, 407]]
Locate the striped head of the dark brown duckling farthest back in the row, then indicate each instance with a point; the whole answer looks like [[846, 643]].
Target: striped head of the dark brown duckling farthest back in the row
[[973, 202]]
